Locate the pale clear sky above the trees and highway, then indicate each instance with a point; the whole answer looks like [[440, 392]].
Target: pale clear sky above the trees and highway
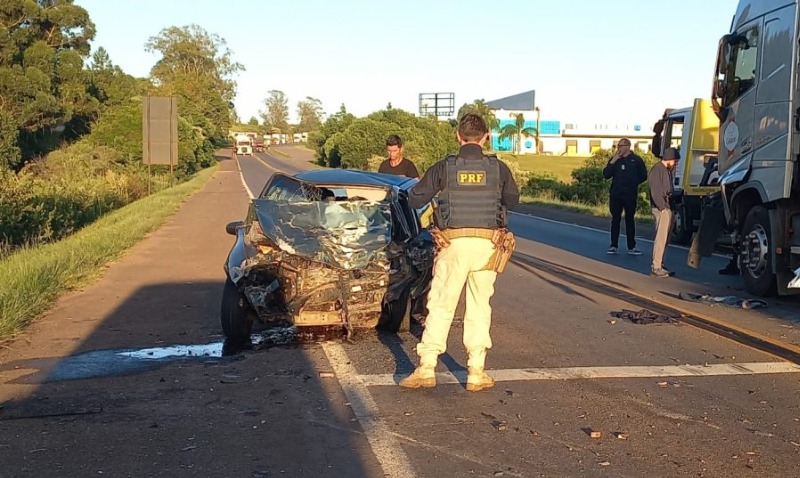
[[606, 61]]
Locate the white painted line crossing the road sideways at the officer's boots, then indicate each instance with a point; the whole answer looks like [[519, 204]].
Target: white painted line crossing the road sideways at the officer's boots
[[577, 373]]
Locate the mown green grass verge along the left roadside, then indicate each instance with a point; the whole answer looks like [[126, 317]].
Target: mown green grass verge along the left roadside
[[33, 278]]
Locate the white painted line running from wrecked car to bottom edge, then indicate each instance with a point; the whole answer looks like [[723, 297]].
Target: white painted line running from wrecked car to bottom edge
[[387, 450]]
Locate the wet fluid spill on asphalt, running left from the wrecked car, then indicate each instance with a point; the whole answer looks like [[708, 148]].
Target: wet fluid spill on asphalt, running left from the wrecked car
[[111, 363]]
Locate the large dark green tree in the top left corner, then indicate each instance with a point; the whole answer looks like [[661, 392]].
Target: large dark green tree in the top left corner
[[42, 82]]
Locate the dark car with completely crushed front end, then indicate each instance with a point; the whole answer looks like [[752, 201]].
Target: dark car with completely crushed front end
[[331, 248]]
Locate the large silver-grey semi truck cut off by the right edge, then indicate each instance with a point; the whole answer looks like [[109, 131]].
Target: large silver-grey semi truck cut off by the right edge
[[757, 99]]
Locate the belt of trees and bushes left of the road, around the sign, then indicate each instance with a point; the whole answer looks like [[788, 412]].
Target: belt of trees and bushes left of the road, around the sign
[[71, 122]]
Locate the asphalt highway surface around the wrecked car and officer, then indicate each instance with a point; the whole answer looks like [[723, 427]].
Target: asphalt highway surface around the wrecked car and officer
[[665, 399]]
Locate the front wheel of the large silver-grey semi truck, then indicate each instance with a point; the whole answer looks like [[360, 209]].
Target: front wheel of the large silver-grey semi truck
[[756, 258]]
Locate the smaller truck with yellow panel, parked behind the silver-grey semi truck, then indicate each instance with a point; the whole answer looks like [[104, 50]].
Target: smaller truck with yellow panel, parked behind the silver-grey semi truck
[[694, 132]]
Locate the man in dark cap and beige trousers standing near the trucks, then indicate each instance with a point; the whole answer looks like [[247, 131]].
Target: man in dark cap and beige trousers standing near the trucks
[[661, 188]]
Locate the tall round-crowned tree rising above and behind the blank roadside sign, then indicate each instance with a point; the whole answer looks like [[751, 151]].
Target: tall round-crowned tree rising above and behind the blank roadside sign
[[198, 68]]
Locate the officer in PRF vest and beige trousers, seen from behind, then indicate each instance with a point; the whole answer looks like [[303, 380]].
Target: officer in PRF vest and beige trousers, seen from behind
[[475, 191]]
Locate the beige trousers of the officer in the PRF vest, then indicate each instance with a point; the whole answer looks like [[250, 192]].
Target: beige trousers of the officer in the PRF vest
[[459, 263]]
